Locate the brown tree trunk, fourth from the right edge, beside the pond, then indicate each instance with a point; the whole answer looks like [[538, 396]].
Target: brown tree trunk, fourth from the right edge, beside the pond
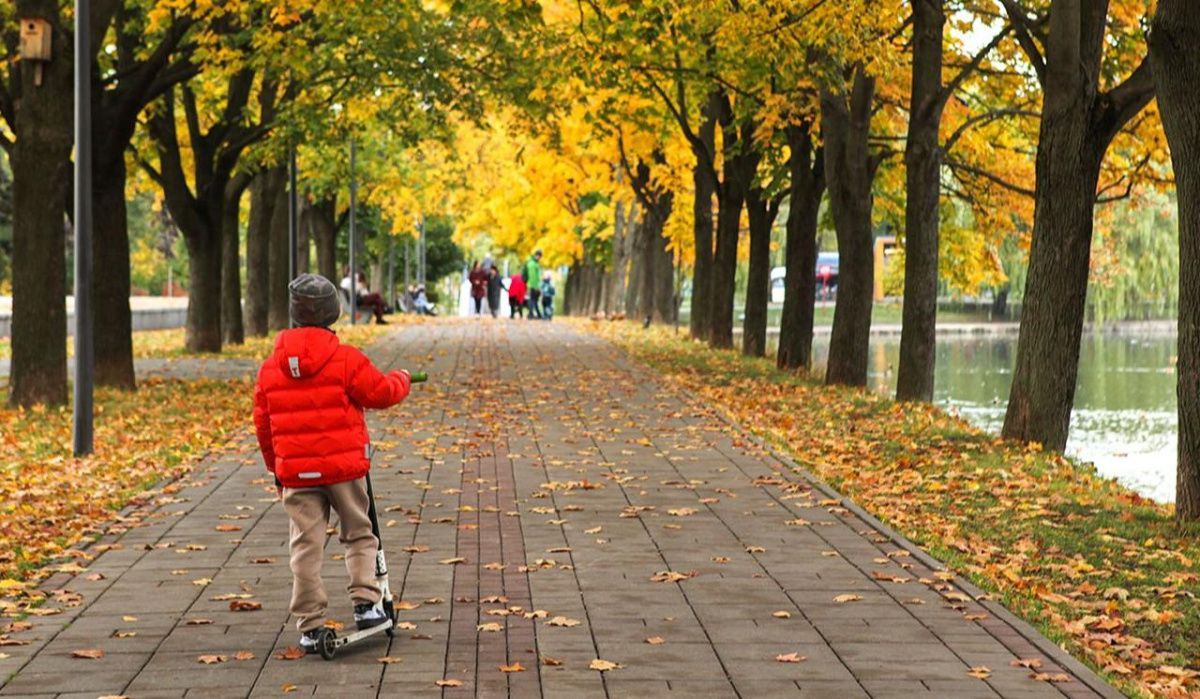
[[847, 126]]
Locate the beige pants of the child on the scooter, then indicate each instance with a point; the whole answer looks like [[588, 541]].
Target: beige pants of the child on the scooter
[[309, 512]]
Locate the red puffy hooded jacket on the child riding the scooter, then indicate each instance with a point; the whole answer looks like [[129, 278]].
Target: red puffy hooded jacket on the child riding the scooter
[[309, 408]]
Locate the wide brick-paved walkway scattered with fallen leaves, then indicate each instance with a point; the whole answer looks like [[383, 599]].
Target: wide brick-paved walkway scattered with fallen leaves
[[541, 498]]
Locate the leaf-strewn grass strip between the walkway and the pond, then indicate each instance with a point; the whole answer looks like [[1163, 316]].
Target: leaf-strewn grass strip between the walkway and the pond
[[1101, 570]]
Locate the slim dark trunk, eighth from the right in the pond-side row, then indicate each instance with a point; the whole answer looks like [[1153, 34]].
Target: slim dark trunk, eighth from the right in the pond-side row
[[700, 325]]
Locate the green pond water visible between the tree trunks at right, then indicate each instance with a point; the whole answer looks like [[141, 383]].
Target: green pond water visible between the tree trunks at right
[[1125, 419]]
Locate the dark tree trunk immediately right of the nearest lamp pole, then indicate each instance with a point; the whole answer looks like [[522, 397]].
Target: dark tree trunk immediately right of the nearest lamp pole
[[111, 283]]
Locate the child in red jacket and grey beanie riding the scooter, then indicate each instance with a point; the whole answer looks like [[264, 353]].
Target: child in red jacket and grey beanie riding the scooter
[[309, 409]]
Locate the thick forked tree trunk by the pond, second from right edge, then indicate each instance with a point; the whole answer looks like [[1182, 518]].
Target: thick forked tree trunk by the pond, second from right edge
[[1091, 67]]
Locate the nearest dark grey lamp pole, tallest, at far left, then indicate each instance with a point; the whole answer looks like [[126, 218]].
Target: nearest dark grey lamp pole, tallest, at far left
[[86, 357]]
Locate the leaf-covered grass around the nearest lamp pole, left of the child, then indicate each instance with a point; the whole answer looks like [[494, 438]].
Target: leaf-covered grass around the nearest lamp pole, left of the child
[[51, 501]]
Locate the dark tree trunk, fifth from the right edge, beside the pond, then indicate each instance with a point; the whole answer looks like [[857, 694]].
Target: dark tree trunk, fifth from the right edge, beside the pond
[[801, 284]]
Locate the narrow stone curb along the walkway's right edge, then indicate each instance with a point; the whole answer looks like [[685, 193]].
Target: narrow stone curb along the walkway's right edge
[[1083, 673]]
